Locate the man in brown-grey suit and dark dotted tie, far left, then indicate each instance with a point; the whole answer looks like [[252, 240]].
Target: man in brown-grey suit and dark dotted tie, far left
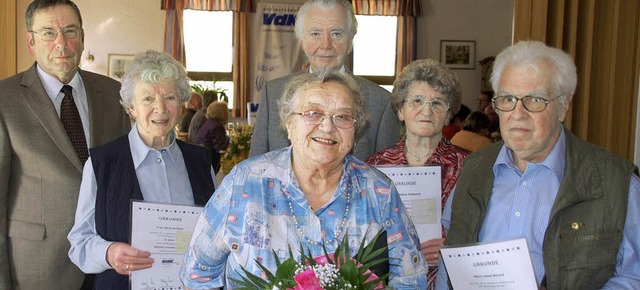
[[49, 115]]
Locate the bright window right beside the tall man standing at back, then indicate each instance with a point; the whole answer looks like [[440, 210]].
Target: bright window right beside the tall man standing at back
[[374, 49]]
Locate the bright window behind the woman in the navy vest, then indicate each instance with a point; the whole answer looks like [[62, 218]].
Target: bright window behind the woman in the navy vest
[[208, 41]]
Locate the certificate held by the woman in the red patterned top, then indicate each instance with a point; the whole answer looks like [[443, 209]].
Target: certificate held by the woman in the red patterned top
[[420, 190]]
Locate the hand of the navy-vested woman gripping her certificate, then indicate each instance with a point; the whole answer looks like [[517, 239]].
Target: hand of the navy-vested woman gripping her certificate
[[124, 258]]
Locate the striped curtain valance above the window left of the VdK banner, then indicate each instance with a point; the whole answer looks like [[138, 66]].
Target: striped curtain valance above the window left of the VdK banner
[[209, 5]]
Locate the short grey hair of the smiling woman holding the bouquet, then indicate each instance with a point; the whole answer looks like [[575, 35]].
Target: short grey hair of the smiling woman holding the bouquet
[[298, 84]]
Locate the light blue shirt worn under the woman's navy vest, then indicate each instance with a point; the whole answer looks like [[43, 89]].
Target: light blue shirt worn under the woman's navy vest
[[163, 178]]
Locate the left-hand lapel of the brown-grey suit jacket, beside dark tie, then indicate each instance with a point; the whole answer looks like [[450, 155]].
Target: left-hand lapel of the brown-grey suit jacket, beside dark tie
[[36, 98]]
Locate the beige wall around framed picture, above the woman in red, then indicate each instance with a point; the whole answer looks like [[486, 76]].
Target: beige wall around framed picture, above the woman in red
[[488, 22]]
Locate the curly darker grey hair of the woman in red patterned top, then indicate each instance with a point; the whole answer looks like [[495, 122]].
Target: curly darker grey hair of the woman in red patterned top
[[438, 76]]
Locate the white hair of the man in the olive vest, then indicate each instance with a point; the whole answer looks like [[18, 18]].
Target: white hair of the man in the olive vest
[[534, 53]]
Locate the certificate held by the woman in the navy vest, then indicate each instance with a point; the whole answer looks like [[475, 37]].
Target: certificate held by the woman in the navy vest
[[165, 231]]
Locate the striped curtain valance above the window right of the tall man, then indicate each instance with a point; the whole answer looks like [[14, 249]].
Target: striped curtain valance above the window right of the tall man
[[411, 8]]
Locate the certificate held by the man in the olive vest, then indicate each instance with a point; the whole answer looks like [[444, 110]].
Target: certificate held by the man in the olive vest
[[500, 265]]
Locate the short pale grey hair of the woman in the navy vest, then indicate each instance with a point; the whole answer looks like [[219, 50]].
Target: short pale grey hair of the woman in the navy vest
[[152, 67]]
